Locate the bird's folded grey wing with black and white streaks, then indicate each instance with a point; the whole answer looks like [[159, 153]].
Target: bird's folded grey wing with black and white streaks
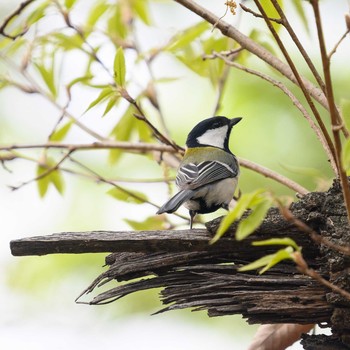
[[192, 176]]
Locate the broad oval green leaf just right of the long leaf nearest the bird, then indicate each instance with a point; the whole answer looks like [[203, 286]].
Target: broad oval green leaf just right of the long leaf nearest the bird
[[254, 220]]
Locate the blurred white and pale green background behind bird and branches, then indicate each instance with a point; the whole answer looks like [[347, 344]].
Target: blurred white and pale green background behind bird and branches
[[38, 309]]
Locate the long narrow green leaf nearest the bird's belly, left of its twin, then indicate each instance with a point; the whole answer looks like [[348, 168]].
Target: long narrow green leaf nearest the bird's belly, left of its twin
[[242, 205]]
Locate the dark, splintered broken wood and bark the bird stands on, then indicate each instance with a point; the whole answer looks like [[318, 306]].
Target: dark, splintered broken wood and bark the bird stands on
[[196, 275]]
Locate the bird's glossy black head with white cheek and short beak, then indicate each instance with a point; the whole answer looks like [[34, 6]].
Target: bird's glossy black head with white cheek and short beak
[[213, 132]]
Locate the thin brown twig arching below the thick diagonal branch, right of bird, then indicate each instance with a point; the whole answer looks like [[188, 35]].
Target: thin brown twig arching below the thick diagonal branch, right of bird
[[292, 97]]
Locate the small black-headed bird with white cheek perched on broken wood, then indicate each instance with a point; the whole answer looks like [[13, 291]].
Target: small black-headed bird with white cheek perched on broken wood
[[208, 173]]
